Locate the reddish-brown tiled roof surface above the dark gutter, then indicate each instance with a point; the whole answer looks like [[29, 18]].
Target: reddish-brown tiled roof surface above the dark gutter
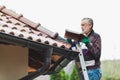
[[14, 24]]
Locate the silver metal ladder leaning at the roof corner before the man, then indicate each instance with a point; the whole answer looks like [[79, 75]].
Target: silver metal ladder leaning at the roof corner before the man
[[82, 61]]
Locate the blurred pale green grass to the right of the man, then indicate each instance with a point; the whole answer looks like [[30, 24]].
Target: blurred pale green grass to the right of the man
[[111, 70]]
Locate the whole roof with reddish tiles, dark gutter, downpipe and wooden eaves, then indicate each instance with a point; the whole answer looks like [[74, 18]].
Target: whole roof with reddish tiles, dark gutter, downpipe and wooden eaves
[[48, 52]]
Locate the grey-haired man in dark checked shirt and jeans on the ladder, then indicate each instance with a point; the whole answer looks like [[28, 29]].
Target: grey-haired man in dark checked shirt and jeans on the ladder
[[91, 51]]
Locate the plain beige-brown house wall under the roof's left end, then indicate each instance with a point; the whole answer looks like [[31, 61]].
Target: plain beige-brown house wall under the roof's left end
[[13, 62]]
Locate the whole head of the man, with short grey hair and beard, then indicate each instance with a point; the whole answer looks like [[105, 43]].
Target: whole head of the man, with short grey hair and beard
[[86, 25]]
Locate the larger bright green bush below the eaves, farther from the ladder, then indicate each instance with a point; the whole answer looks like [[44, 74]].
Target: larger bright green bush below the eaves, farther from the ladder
[[59, 76]]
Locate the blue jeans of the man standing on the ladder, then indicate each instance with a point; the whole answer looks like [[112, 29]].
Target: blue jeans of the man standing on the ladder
[[94, 74]]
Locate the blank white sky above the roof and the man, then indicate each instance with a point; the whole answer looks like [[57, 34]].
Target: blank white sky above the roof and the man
[[59, 15]]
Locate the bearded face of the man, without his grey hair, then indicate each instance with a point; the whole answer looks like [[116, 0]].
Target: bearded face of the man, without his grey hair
[[86, 27]]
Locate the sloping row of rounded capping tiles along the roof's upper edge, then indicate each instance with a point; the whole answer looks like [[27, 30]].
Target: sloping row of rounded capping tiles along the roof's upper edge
[[32, 24]]
